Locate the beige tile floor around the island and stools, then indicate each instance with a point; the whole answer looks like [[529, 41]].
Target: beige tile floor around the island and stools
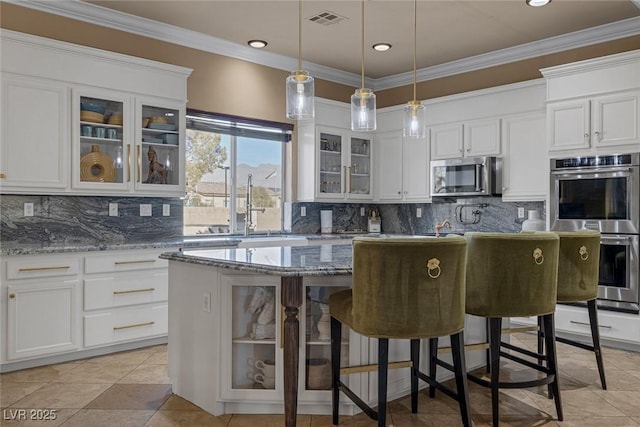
[[132, 389]]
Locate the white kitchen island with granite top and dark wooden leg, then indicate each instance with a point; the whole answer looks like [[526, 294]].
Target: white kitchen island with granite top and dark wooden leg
[[217, 336]]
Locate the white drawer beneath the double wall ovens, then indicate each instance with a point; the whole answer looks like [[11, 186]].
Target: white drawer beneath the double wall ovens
[[612, 326]]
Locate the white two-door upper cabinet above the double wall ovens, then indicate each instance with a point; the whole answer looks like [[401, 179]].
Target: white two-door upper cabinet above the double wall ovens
[[593, 107]]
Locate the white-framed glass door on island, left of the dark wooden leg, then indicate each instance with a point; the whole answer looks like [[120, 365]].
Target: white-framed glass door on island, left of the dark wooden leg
[[251, 334]]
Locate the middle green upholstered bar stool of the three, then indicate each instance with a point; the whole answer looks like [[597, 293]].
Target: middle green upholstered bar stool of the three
[[514, 275]]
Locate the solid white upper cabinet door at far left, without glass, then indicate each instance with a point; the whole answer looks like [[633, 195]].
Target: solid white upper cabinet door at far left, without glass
[[34, 144]]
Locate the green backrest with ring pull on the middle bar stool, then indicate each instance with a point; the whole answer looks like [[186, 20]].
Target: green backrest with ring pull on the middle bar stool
[[511, 274]]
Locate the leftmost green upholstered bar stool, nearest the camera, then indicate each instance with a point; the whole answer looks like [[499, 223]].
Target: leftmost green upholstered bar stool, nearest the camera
[[403, 288]]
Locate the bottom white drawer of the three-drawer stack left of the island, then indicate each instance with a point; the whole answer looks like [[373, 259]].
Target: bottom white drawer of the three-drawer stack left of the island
[[125, 324]]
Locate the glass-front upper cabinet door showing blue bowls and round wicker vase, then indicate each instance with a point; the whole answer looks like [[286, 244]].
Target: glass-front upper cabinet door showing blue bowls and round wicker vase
[[102, 137]]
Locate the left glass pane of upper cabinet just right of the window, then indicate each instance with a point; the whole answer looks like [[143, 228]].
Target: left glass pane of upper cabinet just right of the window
[[331, 177]]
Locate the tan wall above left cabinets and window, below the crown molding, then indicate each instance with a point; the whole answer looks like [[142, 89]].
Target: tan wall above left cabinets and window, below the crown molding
[[218, 83]]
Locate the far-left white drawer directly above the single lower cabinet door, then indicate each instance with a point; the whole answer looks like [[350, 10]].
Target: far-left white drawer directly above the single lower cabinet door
[[29, 267]]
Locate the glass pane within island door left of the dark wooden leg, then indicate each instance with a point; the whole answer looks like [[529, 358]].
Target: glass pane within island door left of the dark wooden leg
[[253, 337]]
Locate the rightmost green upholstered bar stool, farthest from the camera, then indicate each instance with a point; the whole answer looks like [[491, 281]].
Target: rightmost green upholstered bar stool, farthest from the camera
[[578, 272]]
